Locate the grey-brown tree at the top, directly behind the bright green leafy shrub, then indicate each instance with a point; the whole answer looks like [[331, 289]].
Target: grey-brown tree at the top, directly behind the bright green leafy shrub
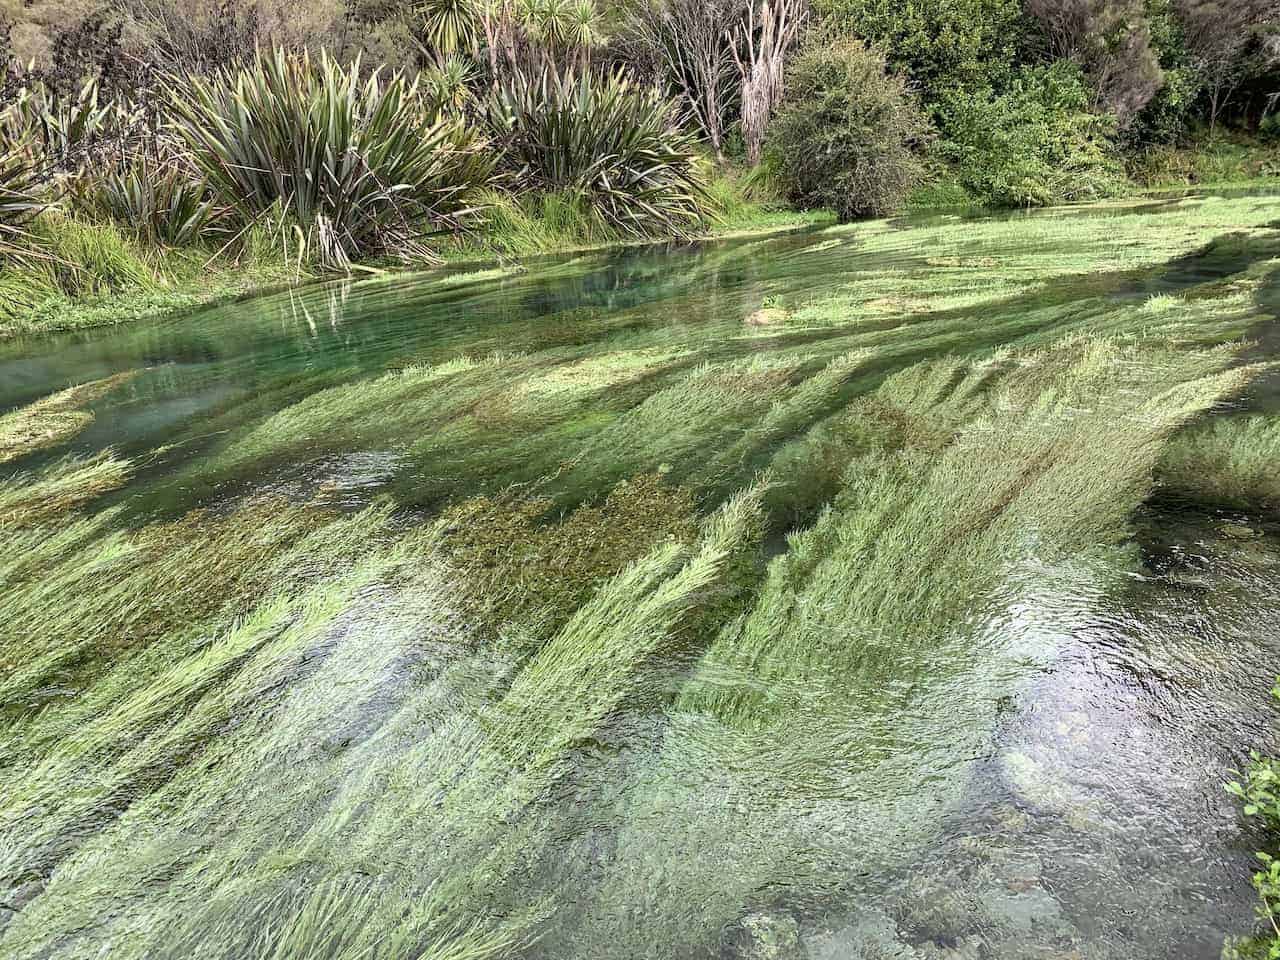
[[1110, 40]]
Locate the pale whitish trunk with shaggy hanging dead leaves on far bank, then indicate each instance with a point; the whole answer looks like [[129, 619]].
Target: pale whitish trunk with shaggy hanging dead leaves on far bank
[[760, 51]]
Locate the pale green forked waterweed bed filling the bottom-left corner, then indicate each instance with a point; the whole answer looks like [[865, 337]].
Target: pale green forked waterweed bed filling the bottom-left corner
[[486, 775]]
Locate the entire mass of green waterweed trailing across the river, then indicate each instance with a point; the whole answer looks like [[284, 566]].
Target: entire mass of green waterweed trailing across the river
[[569, 700]]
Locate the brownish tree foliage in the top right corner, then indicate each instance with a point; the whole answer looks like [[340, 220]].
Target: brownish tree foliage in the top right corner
[[1229, 42]]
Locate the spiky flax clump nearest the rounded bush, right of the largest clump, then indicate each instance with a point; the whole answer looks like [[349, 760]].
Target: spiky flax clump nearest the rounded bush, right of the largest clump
[[615, 147]]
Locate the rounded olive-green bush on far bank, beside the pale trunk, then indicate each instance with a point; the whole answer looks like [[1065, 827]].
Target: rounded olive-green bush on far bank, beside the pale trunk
[[848, 134]]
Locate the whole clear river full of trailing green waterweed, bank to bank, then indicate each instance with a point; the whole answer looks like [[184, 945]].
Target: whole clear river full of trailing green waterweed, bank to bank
[[904, 589]]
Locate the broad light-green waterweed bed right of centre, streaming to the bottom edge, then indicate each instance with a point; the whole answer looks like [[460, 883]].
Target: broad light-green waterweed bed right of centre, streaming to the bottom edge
[[804, 739]]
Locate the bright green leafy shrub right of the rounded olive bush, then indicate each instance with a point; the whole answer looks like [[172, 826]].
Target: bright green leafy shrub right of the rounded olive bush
[[1034, 145]]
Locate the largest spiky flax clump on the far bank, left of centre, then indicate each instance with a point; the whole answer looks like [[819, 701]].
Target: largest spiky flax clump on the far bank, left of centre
[[363, 167]]
